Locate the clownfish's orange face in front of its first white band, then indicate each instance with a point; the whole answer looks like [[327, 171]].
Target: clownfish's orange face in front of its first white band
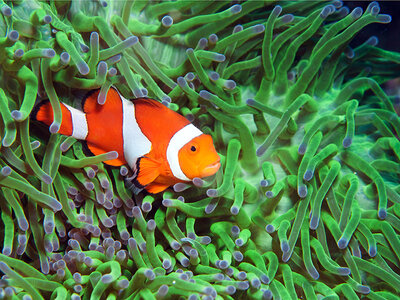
[[198, 157]]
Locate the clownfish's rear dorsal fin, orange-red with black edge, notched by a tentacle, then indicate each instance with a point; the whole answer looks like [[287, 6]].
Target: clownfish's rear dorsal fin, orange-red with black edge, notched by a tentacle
[[90, 104]]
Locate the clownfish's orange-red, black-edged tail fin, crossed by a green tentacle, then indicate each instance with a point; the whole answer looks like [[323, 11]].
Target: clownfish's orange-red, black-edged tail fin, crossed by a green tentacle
[[43, 112]]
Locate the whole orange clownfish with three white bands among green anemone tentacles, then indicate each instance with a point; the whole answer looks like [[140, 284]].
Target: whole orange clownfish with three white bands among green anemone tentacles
[[160, 146]]
